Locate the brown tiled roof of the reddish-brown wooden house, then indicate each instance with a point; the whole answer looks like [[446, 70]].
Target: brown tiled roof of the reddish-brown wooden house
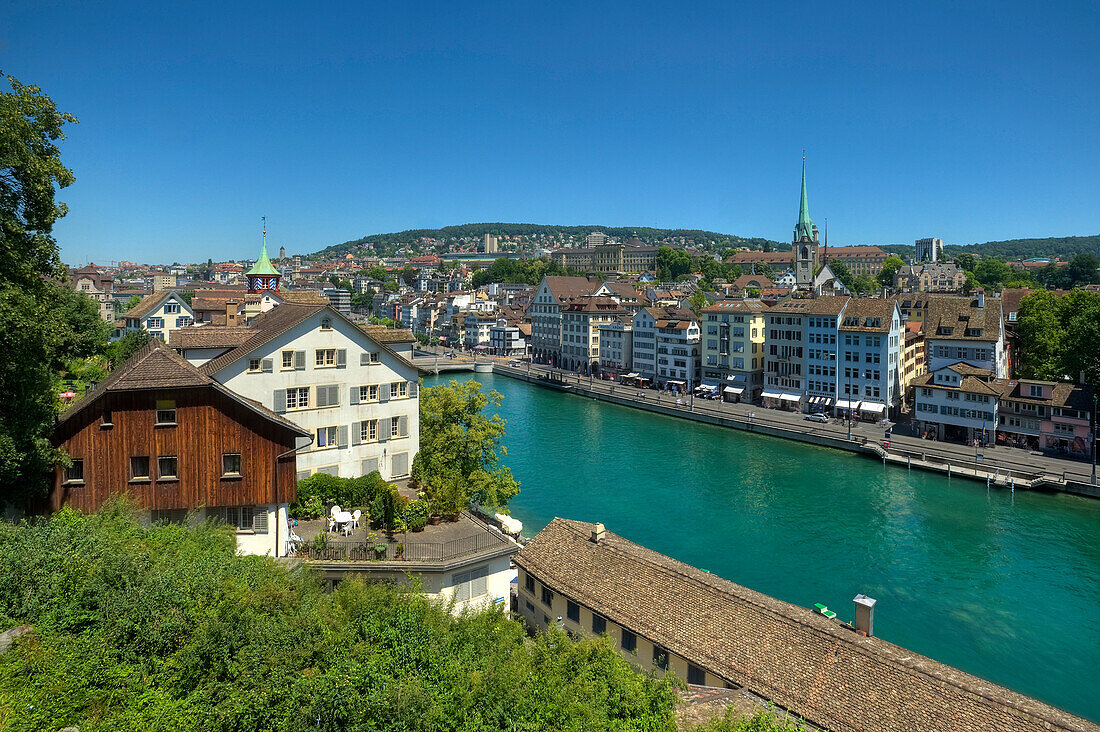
[[156, 366]]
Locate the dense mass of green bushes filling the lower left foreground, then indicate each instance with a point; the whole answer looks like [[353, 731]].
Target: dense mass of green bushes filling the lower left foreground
[[169, 629]]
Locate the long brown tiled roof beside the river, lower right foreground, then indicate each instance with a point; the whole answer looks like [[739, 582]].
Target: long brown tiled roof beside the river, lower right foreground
[[817, 668]]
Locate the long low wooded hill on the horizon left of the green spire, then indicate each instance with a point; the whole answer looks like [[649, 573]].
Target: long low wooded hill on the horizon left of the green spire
[[472, 232]]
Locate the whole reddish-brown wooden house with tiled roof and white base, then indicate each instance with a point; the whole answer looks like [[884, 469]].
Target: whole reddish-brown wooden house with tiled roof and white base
[[180, 443]]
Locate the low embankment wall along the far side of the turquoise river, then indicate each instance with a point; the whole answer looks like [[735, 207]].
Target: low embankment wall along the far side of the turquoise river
[[928, 458]]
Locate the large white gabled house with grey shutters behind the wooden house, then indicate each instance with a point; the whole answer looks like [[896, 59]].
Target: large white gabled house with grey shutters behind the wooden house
[[356, 396]]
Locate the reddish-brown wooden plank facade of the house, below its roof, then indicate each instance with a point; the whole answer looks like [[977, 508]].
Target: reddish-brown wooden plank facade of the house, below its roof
[[208, 424]]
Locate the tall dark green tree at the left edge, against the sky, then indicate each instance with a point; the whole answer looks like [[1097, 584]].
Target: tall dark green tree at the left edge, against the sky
[[43, 323]]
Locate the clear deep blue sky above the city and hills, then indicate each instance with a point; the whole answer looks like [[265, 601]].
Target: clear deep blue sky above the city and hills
[[971, 122]]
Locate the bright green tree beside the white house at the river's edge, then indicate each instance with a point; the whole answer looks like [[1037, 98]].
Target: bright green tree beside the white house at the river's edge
[[460, 447]]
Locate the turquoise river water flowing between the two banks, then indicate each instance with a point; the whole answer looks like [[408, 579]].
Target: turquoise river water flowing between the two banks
[[1005, 586]]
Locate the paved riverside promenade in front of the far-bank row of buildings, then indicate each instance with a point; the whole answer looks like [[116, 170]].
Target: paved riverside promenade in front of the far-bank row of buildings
[[998, 466]]
